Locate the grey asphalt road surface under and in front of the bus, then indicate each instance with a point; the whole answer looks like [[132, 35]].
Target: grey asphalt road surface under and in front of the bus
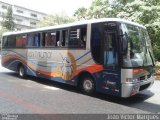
[[35, 95]]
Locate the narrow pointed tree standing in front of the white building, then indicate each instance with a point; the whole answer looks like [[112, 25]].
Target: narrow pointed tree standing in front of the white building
[[8, 20]]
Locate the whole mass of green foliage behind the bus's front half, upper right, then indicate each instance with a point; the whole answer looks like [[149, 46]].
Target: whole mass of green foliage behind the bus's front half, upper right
[[145, 12]]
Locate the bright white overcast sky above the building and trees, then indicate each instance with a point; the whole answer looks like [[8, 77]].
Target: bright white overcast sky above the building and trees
[[52, 6]]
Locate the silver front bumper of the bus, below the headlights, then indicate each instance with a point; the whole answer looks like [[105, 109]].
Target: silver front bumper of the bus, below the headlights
[[130, 89]]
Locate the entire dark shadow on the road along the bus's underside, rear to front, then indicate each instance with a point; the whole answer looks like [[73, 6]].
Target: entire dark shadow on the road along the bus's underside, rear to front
[[138, 101]]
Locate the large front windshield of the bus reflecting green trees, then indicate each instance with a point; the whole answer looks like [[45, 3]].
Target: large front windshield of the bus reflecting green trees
[[138, 51]]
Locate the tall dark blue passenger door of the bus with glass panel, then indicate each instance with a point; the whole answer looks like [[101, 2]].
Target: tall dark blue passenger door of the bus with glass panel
[[112, 71]]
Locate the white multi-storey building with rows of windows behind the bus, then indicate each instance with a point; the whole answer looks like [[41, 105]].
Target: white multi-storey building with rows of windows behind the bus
[[24, 18]]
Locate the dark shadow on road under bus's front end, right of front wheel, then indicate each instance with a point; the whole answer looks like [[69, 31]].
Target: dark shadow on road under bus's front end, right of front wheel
[[138, 101]]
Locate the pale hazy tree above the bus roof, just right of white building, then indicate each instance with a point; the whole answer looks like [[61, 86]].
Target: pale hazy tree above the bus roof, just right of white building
[[52, 20]]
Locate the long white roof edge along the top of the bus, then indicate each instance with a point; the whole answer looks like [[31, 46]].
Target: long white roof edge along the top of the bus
[[73, 24]]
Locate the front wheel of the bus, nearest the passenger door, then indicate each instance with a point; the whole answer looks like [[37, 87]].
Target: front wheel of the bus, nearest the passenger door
[[88, 86]]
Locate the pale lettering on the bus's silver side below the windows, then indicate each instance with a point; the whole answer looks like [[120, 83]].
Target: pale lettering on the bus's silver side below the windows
[[38, 54]]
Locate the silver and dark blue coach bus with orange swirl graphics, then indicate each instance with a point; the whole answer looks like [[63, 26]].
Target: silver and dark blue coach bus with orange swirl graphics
[[109, 55]]
